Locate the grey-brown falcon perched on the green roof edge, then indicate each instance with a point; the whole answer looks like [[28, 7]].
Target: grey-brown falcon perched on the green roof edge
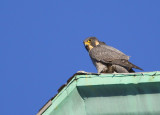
[[106, 58]]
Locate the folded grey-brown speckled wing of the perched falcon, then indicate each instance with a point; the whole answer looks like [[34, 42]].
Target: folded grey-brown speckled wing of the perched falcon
[[106, 54]]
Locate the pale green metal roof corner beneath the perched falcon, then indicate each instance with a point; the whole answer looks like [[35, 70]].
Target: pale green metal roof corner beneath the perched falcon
[[113, 94]]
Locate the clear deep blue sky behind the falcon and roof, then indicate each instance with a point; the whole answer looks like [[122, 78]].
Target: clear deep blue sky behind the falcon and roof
[[41, 44]]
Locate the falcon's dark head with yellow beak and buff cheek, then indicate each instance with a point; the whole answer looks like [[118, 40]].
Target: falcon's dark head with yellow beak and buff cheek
[[91, 42]]
